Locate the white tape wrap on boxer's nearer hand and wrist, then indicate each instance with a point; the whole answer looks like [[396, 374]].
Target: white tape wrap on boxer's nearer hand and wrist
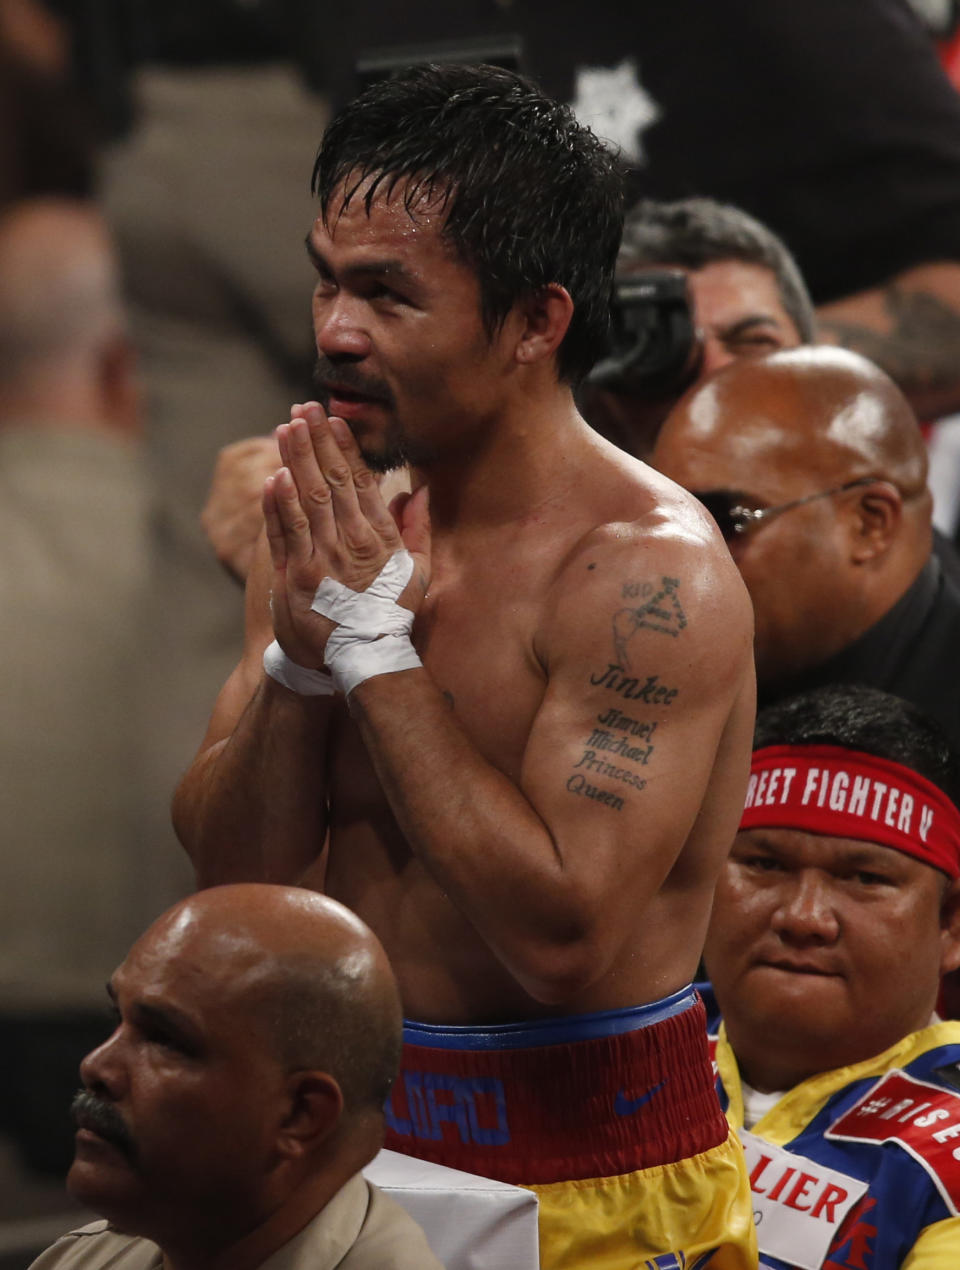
[[373, 633]]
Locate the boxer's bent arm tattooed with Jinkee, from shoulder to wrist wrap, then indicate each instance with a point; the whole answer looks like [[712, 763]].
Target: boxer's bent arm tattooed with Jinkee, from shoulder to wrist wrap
[[647, 651]]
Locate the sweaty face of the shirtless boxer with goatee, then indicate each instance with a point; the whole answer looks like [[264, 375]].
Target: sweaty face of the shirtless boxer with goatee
[[403, 354]]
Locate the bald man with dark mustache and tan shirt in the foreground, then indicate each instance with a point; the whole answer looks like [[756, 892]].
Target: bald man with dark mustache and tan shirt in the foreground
[[227, 1120]]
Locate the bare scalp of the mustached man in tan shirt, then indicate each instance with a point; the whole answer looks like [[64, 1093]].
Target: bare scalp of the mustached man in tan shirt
[[313, 981]]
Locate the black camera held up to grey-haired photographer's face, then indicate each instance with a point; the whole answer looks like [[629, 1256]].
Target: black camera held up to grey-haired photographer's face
[[656, 350]]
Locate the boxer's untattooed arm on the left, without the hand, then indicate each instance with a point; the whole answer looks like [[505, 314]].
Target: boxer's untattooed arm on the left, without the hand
[[253, 806]]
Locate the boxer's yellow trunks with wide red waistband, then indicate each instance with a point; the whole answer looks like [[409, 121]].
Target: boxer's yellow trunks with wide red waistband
[[611, 1118]]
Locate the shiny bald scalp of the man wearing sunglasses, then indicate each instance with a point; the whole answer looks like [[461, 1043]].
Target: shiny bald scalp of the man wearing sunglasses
[[825, 412]]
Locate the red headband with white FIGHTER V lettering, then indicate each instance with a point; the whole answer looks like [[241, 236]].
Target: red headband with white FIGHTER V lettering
[[848, 794]]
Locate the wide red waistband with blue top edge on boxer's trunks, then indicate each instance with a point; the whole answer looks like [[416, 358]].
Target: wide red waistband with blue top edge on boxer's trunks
[[583, 1097]]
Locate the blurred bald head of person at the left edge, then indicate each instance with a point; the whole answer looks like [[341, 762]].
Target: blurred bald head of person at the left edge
[[59, 290]]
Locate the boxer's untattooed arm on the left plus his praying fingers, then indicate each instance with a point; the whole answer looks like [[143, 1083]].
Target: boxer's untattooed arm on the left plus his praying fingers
[[255, 802]]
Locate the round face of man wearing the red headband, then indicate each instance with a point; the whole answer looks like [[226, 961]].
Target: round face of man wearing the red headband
[[831, 947]]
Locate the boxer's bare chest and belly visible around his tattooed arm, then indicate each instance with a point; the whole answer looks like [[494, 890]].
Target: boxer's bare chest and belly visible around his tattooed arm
[[478, 637]]
